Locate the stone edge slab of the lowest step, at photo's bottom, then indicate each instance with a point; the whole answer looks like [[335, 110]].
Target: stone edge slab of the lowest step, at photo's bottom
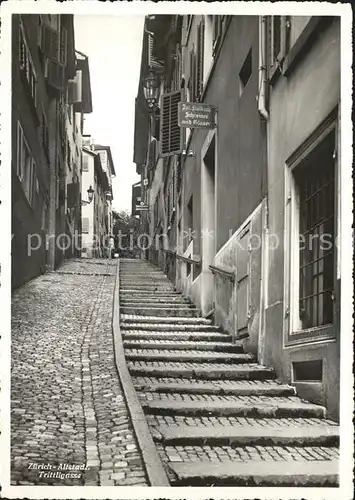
[[258, 472]]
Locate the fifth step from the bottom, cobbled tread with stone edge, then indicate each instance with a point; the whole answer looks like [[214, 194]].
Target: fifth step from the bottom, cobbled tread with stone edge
[[205, 371]]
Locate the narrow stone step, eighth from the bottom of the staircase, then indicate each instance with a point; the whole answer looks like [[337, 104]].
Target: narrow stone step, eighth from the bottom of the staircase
[[142, 335]]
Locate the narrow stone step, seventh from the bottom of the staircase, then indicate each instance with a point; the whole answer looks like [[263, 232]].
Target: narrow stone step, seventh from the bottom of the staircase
[[182, 345]]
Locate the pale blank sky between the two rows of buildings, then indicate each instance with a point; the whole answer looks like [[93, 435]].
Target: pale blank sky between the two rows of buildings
[[113, 45]]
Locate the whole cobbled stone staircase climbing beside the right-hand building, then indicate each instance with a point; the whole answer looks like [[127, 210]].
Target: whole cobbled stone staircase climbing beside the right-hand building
[[217, 417]]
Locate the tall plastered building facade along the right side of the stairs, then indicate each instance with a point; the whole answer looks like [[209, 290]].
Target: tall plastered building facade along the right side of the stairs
[[222, 203]]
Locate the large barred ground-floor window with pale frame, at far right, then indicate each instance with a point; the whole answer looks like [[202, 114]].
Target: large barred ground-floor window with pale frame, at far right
[[311, 254]]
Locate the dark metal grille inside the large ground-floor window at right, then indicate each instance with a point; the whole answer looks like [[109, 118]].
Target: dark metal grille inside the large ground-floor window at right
[[315, 181]]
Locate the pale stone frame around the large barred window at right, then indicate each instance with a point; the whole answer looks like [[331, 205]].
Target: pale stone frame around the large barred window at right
[[294, 336]]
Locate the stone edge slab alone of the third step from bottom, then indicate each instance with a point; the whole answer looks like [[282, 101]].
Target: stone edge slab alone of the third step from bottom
[[235, 408]]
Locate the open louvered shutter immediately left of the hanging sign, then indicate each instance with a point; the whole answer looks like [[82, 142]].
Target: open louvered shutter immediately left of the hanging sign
[[170, 132]]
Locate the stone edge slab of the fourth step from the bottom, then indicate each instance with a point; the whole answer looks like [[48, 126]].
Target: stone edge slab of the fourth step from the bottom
[[218, 388]]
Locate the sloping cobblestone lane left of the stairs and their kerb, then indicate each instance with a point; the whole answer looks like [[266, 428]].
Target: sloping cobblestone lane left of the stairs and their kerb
[[67, 405]]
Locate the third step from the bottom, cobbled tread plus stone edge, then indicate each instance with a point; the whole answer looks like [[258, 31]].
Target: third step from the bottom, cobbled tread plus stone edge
[[256, 406]]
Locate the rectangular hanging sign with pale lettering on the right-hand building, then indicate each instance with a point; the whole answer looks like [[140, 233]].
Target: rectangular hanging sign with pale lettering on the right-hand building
[[196, 115]]
